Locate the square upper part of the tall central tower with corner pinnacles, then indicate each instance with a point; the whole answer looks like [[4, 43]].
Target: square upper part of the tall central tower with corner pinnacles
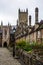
[[23, 17]]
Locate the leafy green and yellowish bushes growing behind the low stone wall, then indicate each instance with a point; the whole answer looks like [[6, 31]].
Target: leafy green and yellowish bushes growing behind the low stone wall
[[28, 47]]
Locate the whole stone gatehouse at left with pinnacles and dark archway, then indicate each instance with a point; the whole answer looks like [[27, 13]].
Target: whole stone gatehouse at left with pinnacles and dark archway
[[5, 34]]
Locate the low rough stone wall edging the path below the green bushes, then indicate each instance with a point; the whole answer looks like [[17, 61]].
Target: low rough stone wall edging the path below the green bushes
[[28, 59]]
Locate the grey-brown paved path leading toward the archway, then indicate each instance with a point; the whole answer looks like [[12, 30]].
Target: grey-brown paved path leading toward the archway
[[6, 58]]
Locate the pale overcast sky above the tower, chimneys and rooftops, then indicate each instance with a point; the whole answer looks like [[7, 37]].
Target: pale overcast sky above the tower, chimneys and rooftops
[[9, 10]]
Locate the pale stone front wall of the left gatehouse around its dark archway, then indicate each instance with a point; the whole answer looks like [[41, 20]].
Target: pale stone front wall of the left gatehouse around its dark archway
[[5, 35]]
